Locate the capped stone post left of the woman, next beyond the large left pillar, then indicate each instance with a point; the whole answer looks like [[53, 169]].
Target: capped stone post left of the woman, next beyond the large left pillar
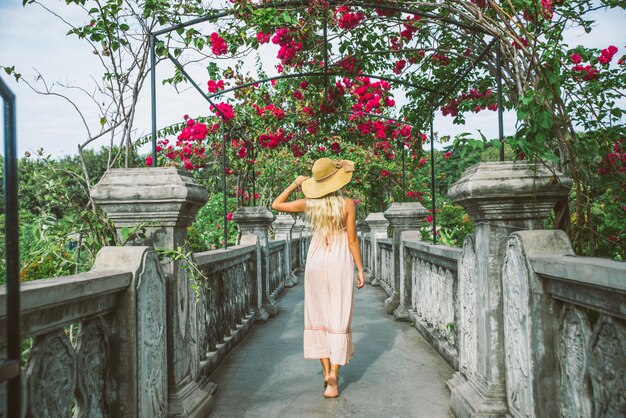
[[257, 221]]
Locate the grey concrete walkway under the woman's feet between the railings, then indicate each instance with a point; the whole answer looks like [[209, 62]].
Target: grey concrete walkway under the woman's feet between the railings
[[393, 373]]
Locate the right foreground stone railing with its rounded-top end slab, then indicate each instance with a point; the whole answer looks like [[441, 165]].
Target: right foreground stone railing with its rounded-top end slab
[[564, 329]]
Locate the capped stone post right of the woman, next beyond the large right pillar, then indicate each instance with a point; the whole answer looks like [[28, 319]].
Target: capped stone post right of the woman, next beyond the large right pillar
[[402, 216]]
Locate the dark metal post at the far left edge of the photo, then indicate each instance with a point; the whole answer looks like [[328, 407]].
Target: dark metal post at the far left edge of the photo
[[10, 369]]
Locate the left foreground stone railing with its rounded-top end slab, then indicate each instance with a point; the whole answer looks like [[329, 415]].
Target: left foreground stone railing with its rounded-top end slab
[[98, 339]]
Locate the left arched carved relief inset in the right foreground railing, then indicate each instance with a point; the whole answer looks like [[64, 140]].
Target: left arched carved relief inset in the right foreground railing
[[572, 339]]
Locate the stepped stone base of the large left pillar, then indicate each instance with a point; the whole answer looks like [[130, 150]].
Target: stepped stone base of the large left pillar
[[195, 399]]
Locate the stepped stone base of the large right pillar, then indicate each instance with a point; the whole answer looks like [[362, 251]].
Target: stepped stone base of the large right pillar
[[466, 401]]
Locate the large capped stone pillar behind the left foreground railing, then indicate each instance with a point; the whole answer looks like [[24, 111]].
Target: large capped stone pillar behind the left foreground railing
[[163, 202]]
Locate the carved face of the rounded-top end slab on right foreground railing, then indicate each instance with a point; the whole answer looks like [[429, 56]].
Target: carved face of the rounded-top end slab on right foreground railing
[[519, 387]]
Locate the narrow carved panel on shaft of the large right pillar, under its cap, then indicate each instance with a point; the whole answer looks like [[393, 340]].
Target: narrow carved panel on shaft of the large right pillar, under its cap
[[467, 314]]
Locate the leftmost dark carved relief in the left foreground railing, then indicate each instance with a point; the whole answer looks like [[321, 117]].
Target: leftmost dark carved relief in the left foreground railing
[[51, 376]]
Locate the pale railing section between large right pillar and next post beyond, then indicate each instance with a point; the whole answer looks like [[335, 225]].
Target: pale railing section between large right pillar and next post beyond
[[431, 273]]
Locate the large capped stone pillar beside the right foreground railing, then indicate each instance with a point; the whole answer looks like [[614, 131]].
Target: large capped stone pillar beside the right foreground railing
[[501, 198]]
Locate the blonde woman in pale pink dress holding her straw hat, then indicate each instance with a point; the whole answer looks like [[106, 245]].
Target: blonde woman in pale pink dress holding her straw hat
[[329, 271]]
